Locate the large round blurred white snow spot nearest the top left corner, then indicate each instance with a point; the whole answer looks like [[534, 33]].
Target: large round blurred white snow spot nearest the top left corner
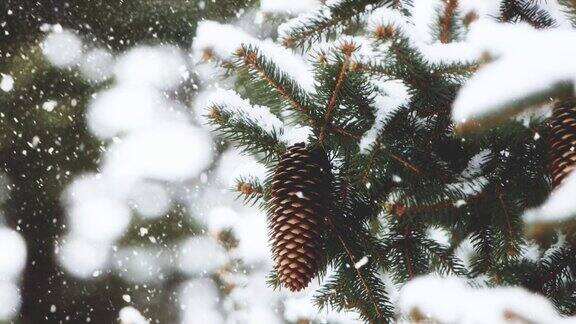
[[62, 48]]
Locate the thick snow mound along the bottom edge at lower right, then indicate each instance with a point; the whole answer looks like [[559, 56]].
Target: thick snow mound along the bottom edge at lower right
[[451, 300]]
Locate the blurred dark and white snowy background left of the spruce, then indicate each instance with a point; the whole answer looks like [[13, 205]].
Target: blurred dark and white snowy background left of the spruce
[[115, 199]]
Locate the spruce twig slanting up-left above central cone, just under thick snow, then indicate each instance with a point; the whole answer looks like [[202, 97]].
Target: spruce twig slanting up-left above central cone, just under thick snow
[[277, 81]]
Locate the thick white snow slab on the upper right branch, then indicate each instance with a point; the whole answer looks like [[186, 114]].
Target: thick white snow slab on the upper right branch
[[529, 66]]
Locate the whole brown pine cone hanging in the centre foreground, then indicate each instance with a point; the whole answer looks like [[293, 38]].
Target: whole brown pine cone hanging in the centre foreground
[[300, 204]]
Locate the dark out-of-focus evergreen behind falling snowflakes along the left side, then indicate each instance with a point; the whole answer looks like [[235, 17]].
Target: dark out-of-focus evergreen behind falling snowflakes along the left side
[[42, 147]]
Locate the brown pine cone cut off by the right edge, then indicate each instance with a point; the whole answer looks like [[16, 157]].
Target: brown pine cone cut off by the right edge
[[562, 144]]
